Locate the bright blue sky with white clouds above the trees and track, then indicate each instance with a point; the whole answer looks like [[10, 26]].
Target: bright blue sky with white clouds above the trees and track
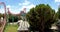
[[17, 5]]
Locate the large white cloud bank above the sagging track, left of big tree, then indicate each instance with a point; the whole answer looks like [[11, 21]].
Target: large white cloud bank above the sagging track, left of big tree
[[15, 9]]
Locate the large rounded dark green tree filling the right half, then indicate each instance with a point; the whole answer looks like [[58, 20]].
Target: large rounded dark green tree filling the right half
[[41, 17]]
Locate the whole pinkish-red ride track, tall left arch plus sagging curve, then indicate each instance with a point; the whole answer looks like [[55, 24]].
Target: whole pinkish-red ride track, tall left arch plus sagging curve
[[5, 15]]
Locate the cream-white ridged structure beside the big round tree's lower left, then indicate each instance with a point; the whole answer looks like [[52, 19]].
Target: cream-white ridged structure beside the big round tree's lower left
[[23, 25]]
